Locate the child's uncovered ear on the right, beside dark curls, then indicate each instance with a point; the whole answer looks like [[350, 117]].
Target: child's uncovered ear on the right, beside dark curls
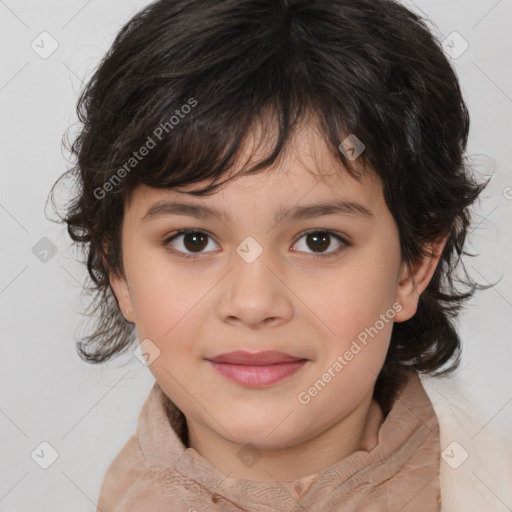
[[414, 279]]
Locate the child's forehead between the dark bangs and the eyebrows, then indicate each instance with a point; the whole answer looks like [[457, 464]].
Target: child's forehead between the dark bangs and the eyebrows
[[305, 172]]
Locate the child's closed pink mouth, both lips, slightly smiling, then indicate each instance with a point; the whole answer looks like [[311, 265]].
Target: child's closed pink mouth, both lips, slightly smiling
[[257, 369]]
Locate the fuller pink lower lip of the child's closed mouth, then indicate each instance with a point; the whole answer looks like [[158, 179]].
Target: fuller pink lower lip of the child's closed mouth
[[258, 376]]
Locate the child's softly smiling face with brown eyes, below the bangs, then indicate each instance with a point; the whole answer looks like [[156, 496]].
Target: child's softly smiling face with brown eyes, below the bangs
[[321, 285]]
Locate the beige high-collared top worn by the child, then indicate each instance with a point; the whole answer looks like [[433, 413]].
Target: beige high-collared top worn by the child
[[155, 471]]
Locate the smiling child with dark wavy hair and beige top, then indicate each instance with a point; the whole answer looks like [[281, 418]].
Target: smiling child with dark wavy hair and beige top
[[274, 202]]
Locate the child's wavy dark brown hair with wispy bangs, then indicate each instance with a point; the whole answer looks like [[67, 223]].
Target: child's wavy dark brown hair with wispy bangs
[[194, 76]]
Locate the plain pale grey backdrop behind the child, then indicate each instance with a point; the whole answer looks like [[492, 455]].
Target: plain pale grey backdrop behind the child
[[88, 412]]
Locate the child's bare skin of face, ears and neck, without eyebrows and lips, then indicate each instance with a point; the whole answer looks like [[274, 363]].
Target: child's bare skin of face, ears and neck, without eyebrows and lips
[[290, 298]]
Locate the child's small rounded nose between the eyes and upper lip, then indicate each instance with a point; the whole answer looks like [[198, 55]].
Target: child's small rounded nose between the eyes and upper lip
[[255, 293]]
